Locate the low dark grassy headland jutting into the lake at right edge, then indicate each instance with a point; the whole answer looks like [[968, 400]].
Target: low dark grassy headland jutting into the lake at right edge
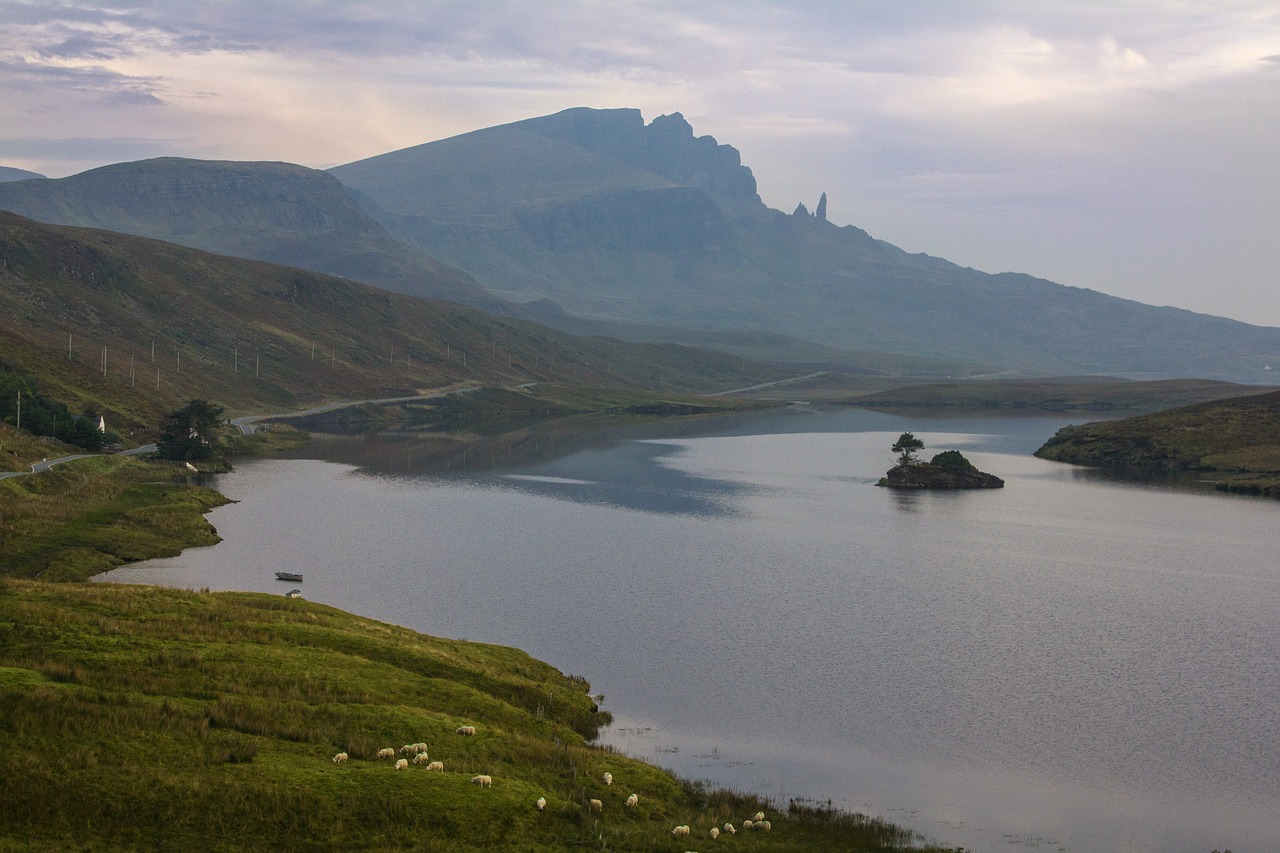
[[1241, 435]]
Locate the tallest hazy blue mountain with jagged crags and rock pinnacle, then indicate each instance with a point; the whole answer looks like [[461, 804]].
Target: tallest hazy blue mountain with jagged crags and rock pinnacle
[[616, 220]]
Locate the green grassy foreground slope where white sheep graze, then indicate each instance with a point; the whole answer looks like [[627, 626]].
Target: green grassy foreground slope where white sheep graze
[[138, 718]]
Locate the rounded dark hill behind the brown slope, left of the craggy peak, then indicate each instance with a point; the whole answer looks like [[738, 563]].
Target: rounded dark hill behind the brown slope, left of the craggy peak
[[273, 212]]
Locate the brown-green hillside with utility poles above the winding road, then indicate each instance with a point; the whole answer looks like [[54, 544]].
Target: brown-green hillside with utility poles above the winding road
[[135, 327]]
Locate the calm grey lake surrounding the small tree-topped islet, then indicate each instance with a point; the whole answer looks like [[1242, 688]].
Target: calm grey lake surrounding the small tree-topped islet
[[1080, 662]]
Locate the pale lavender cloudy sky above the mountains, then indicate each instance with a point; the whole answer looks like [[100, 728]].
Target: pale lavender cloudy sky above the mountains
[[1126, 147]]
